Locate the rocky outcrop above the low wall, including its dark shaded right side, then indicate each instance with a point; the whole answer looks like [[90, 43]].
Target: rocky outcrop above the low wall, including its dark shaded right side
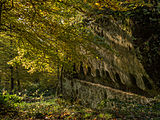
[[123, 61]]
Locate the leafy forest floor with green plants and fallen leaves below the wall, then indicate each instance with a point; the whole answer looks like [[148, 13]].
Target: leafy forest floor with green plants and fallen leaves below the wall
[[51, 108]]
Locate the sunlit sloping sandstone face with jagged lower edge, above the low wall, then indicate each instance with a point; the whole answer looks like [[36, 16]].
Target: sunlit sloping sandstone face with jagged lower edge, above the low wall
[[120, 67]]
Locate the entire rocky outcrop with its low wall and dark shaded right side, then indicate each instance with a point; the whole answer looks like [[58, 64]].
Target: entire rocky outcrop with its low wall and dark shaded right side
[[127, 62]]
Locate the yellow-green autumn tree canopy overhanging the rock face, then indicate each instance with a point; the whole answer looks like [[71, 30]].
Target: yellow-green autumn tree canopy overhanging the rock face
[[47, 33]]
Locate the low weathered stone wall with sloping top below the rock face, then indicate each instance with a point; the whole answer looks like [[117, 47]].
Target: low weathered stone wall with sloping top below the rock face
[[92, 94]]
